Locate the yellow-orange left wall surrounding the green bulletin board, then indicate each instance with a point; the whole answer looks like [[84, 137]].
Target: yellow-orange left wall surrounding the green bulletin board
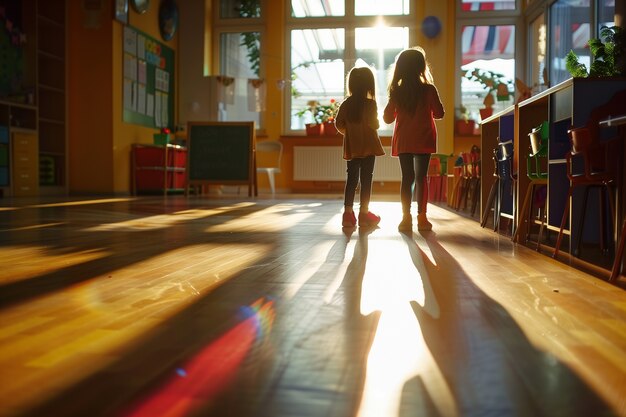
[[99, 140]]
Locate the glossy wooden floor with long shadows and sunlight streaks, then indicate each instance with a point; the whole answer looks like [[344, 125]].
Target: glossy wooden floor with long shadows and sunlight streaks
[[158, 306]]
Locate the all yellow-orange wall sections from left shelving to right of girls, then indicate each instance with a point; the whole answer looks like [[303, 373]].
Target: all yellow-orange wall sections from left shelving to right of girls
[[99, 140]]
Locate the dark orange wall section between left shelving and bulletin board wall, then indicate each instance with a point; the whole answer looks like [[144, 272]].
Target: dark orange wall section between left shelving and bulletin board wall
[[90, 102]]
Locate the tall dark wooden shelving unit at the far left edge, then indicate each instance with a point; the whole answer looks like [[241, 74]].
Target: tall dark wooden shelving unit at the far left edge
[[33, 150]]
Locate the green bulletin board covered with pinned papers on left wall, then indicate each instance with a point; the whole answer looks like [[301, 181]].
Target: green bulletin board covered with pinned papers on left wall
[[148, 86]]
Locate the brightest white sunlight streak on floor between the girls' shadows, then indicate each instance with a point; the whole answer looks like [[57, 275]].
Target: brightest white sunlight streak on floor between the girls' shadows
[[399, 354]]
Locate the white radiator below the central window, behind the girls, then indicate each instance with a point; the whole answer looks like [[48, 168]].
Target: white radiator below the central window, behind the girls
[[326, 163]]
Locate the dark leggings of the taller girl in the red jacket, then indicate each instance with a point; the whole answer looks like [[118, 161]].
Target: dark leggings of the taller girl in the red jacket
[[414, 169]]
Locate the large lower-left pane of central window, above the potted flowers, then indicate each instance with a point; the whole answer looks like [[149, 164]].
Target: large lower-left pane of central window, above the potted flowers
[[317, 65]]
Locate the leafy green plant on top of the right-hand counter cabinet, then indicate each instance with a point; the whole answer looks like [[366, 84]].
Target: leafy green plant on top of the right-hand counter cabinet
[[608, 55]]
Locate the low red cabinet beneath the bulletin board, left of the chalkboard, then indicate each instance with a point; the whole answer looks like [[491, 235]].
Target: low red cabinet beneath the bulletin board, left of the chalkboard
[[158, 168]]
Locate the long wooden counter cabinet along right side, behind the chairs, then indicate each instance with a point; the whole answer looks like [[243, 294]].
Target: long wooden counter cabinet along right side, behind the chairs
[[564, 106]]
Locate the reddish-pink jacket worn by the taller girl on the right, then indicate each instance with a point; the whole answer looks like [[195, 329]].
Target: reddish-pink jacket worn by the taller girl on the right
[[415, 133]]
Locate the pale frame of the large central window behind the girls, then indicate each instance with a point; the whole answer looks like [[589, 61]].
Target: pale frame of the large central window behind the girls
[[349, 23]]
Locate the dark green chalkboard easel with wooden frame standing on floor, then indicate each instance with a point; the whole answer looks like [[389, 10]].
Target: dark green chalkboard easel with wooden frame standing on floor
[[221, 153]]
